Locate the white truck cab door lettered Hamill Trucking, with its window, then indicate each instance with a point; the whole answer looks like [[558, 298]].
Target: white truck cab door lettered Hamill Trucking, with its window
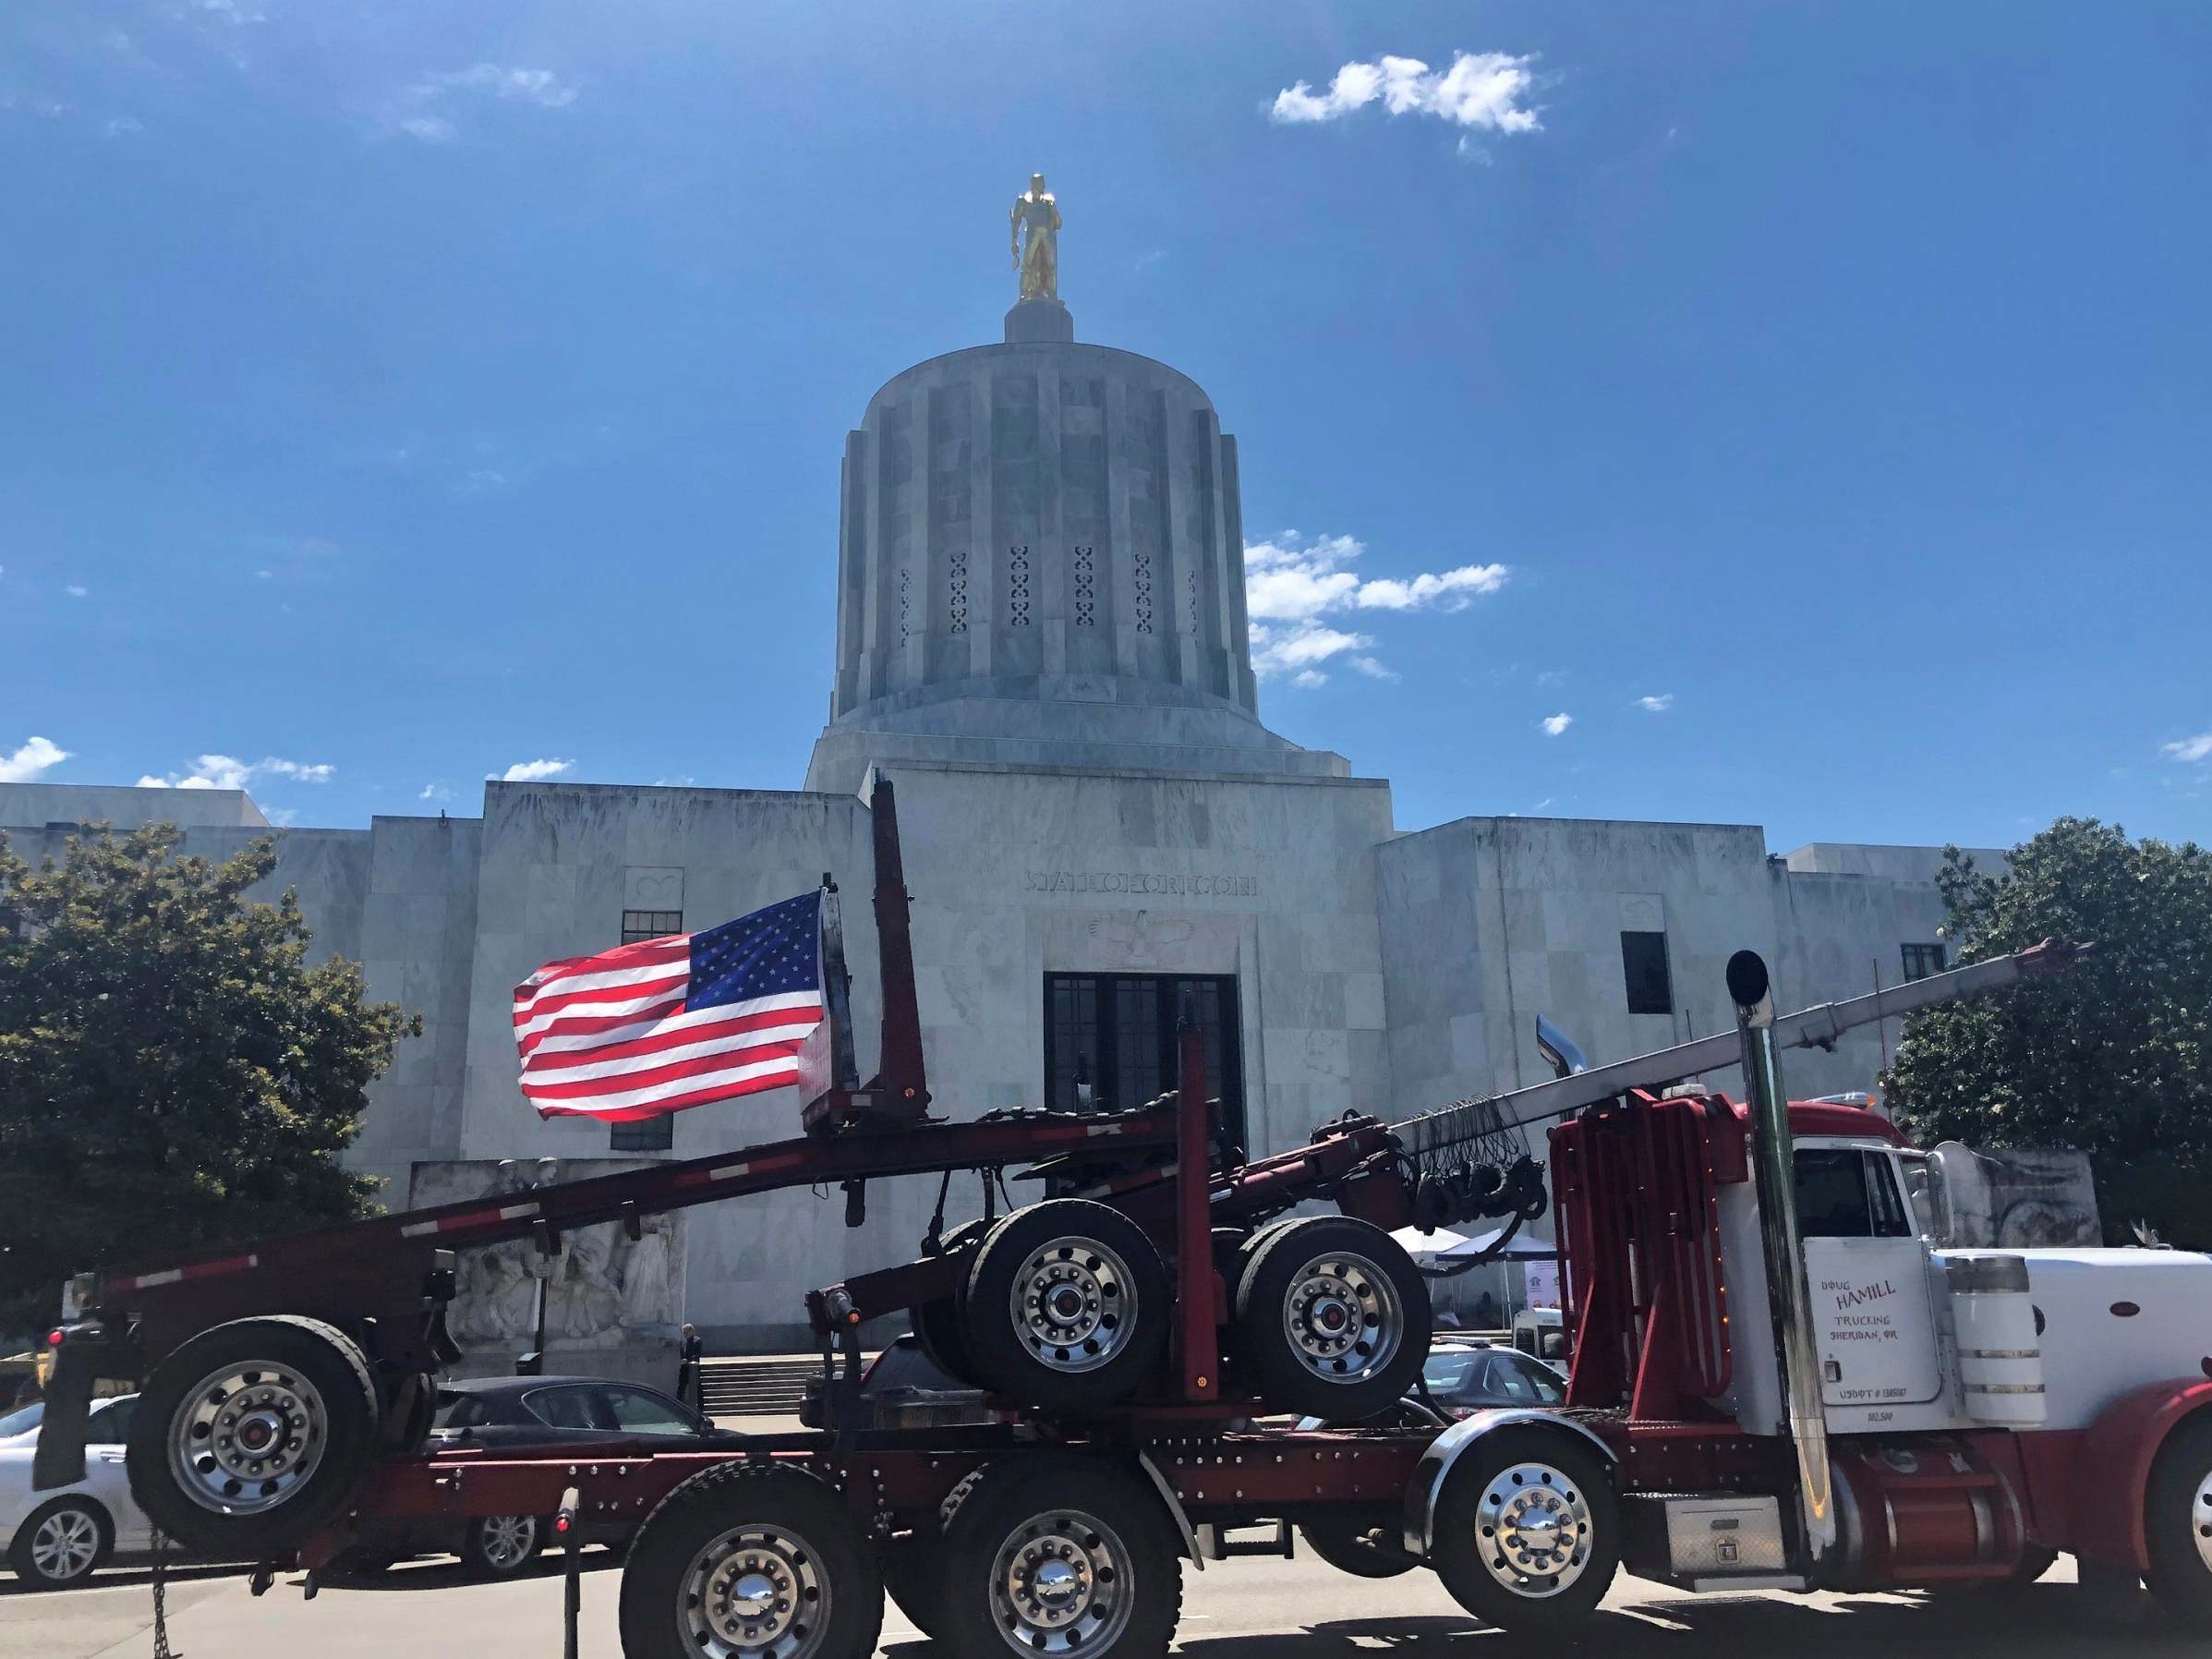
[[1868, 1275]]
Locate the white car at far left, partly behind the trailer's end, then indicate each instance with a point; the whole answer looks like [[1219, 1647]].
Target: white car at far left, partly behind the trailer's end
[[56, 1538]]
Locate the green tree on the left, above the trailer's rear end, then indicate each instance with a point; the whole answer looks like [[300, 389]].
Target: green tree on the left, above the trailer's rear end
[[171, 1070]]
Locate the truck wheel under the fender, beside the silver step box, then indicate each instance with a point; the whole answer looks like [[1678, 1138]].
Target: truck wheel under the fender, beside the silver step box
[[1470, 1547]]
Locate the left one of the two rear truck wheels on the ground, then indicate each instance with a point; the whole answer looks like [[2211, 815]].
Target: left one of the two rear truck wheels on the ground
[[751, 1563]]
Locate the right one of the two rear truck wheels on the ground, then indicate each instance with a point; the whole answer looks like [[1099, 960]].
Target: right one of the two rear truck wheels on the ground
[[1098, 1525]]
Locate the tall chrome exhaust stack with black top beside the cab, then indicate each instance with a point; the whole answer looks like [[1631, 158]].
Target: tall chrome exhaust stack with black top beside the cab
[[1784, 1246]]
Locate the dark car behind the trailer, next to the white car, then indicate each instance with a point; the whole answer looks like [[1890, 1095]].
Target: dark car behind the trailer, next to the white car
[[505, 1415]]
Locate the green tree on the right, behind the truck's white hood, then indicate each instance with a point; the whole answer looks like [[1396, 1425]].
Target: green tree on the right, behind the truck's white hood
[[2109, 1056]]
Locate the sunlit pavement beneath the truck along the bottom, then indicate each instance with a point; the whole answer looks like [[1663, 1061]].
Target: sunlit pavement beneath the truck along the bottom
[[1246, 1609]]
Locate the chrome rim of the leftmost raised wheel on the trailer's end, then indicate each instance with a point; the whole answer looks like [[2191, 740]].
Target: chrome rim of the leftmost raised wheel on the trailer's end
[[247, 1437]]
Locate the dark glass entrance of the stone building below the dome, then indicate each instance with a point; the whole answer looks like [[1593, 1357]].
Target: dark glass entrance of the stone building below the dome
[[1109, 1043]]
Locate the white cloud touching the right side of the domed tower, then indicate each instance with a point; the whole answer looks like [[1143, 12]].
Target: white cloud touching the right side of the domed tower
[[1297, 581]]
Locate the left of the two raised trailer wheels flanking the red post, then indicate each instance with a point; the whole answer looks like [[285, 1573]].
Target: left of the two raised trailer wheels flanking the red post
[[1105, 1277]]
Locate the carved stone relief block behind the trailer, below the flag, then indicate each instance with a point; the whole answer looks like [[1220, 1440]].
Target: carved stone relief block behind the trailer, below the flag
[[603, 1291]]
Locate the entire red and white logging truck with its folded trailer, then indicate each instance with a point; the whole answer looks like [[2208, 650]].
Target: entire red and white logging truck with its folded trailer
[[1749, 1406]]
